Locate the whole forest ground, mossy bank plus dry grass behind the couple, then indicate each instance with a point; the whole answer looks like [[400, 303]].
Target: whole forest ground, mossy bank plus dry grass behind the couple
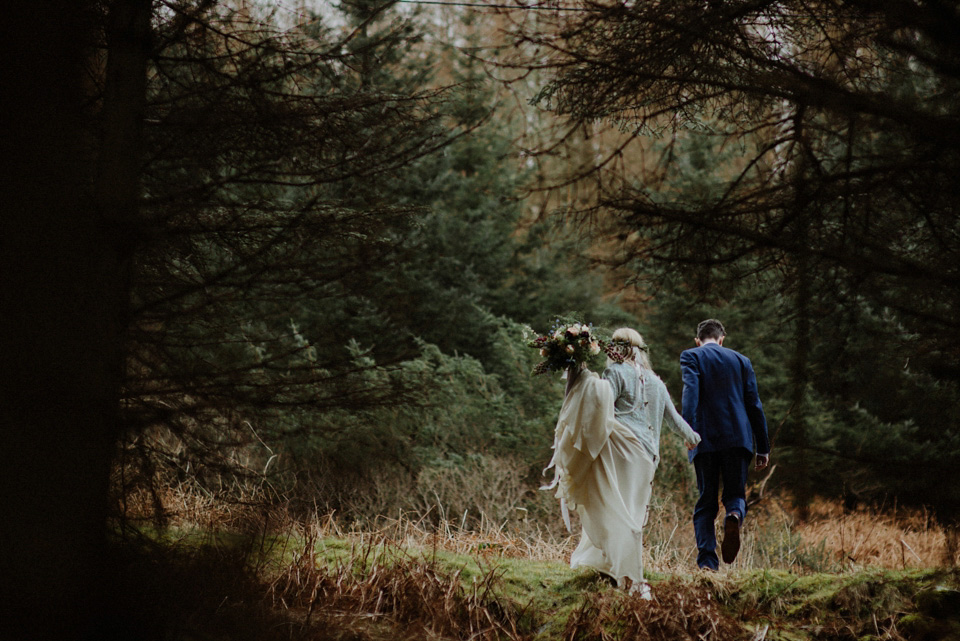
[[242, 572]]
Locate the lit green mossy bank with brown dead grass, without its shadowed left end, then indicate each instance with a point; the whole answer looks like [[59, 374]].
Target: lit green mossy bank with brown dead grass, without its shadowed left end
[[482, 596]]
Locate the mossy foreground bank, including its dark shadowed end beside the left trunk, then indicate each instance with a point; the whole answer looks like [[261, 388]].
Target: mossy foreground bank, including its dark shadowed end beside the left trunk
[[311, 586]]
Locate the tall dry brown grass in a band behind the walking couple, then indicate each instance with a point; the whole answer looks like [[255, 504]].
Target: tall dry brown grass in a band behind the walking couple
[[462, 517]]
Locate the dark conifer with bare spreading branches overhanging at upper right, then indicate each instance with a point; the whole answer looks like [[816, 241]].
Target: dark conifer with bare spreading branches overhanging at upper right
[[844, 119]]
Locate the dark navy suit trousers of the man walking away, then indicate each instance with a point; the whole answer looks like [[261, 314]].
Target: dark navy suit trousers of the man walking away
[[729, 467]]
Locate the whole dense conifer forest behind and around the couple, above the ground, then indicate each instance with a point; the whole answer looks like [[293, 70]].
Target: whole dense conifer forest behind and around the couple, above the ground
[[291, 254]]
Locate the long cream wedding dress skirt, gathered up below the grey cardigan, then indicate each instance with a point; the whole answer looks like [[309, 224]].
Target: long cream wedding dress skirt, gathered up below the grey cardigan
[[602, 471]]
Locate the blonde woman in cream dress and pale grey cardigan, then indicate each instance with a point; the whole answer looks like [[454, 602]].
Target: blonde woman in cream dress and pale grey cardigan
[[606, 451]]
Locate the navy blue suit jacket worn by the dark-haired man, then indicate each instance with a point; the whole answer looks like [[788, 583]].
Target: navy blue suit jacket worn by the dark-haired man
[[720, 400]]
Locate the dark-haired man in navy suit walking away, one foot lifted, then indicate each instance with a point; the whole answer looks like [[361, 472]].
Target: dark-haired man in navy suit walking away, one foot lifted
[[721, 403]]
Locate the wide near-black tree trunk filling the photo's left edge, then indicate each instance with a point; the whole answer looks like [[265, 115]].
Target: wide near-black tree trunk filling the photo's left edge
[[62, 294]]
